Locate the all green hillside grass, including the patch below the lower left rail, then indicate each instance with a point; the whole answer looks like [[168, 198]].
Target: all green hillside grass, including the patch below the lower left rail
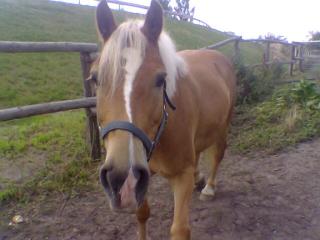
[[51, 148]]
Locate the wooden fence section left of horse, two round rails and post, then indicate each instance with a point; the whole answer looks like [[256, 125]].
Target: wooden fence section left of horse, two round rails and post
[[88, 102]]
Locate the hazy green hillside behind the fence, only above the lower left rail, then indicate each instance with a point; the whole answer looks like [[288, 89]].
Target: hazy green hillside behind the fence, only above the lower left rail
[[27, 78]]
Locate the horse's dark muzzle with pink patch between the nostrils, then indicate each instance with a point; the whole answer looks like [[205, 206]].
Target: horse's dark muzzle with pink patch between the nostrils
[[125, 189]]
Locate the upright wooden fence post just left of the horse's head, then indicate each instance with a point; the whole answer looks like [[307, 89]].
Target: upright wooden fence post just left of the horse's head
[[93, 136]]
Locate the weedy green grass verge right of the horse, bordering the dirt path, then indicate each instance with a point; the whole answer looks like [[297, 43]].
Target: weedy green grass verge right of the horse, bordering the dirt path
[[278, 122]]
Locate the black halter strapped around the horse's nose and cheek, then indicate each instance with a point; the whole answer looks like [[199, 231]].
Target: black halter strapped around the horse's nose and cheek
[[148, 144]]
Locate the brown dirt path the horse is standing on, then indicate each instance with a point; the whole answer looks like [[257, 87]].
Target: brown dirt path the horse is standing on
[[259, 198]]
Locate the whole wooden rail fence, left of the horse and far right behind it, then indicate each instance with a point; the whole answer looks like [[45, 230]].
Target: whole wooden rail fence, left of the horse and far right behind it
[[87, 55]]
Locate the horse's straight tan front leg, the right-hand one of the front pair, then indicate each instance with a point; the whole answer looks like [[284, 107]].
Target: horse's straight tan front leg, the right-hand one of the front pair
[[182, 186]]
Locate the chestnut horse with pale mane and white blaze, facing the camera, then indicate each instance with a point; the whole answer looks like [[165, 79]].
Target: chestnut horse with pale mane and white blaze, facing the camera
[[158, 110]]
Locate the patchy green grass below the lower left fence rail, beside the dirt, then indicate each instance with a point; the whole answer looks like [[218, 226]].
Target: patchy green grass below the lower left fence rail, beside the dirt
[[59, 141]]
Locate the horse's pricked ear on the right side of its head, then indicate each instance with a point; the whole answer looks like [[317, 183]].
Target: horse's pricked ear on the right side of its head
[[152, 27]]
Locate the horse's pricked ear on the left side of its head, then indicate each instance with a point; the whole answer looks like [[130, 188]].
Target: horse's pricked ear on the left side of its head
[[105, 21]]
